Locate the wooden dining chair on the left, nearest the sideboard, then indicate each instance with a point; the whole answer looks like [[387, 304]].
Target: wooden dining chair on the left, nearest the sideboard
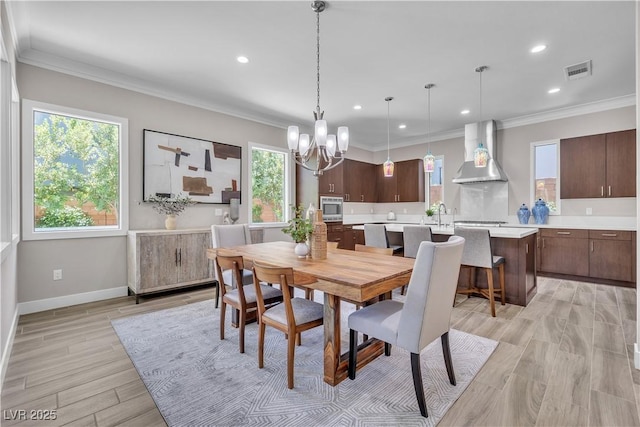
[[242, 298]]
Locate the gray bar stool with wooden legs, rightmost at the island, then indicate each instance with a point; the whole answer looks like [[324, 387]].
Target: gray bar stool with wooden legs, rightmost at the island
[[479, 254]]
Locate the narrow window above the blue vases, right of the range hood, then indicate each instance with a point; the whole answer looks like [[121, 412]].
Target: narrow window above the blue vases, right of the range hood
[[545, 182]]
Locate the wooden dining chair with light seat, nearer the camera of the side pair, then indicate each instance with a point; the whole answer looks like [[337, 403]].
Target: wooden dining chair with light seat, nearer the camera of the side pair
[[292, 317]]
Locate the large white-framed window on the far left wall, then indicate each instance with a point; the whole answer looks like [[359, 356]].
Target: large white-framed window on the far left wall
[[74, 173]]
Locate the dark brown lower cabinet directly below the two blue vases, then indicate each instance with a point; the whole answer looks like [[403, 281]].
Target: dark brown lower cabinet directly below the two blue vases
[[564, 251]]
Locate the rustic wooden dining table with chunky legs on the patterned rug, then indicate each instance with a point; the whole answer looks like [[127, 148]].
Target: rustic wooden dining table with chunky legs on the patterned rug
[[356, 277]]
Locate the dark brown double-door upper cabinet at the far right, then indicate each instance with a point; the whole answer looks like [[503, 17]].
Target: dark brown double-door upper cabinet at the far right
[[597, 166]]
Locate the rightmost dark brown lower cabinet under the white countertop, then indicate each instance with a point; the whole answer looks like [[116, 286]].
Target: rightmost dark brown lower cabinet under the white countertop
[[610, 255]]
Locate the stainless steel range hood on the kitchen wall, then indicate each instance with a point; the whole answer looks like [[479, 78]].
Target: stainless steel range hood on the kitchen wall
[[468, 173]]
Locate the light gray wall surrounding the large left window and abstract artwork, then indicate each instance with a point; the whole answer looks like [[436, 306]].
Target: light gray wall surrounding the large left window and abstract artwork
[[99, 264]]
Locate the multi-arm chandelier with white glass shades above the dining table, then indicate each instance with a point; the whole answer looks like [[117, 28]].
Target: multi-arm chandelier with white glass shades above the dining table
[[323, 145]]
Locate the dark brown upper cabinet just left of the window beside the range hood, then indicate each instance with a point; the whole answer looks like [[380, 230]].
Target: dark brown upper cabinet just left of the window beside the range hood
[[406, 184]]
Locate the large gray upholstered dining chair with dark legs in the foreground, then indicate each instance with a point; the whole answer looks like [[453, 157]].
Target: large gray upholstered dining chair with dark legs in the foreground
[[424, 316]]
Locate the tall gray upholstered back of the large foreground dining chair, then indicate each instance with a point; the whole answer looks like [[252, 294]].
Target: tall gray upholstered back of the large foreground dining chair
[[427, 310]]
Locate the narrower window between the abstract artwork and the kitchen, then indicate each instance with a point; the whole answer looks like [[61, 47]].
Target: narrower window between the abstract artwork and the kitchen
[[270, 184]]
